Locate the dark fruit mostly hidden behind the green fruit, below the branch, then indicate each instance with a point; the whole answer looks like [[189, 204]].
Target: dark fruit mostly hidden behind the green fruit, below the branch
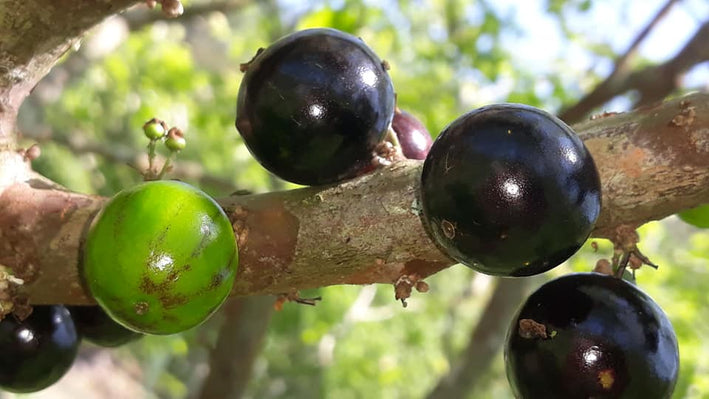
[[97, 327]]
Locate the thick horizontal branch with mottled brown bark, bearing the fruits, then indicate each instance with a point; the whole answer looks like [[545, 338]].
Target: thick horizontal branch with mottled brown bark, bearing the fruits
[[653, 162]]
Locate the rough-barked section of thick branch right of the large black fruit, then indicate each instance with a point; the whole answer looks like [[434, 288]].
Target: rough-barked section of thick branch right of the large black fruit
[[653, 162]]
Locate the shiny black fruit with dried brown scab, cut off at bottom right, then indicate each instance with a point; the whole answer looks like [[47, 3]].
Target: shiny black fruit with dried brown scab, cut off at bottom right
[[606, 339]]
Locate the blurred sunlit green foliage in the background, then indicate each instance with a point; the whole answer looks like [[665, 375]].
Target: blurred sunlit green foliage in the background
[[446, 58]]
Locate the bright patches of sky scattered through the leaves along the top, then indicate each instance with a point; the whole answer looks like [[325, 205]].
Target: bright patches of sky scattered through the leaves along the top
[[614, 22]]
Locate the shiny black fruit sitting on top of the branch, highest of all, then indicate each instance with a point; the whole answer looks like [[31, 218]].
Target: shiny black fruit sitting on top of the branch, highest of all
[[313, 106]]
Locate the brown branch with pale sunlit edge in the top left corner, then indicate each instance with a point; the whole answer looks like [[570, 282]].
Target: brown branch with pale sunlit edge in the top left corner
[[33, 35]]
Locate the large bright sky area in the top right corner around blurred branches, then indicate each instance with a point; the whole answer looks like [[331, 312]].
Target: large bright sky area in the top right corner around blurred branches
[[613, 22]]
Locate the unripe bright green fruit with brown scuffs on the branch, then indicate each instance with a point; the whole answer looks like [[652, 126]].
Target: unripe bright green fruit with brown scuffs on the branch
[[161, 257]]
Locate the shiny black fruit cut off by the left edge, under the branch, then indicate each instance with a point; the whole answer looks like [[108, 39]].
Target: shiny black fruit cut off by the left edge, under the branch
[[38, 351]]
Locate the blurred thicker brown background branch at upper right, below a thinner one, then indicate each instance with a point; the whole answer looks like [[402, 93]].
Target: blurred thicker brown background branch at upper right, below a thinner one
[[652, 83]]
